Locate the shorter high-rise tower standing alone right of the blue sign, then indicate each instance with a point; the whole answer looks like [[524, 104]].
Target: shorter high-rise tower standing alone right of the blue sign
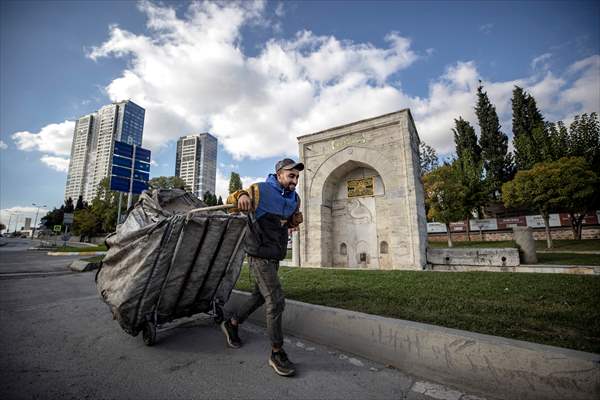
[[196, 162]]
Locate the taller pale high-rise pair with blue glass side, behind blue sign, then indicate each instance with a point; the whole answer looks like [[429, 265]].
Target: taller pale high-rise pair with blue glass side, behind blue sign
[[93, 142]]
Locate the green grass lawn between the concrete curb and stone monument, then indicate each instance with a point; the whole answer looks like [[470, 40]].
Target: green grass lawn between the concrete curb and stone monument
[[555, 309]]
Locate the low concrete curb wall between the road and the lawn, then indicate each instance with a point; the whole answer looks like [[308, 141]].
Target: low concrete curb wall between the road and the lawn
[[498, 367]]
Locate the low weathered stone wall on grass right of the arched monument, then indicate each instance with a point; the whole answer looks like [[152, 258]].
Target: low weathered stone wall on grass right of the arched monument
[[503, 257]]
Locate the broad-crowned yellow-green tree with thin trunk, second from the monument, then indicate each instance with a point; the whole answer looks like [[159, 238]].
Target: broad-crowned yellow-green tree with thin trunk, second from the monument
[[536, 188]]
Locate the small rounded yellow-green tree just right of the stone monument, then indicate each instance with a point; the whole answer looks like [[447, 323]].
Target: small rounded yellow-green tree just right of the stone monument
[[444, 196]]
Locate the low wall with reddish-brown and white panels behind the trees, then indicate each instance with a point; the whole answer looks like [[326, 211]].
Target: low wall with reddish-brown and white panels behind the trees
[[563, 233]]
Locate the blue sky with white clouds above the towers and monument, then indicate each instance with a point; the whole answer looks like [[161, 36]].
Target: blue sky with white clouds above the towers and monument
[[257, 75]]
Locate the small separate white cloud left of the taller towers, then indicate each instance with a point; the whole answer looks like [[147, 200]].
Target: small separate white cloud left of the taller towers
[[53, 138]]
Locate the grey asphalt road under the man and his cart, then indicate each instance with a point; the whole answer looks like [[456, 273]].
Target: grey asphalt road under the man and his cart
[[58, 340]]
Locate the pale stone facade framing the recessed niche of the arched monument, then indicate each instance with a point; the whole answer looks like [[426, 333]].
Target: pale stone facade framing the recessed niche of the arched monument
[[388, 144]]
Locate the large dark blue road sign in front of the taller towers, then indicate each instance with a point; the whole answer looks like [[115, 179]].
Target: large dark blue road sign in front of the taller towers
[[123, 178]]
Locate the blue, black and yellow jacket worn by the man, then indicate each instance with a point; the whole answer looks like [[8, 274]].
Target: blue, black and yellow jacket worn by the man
[[274, 208]]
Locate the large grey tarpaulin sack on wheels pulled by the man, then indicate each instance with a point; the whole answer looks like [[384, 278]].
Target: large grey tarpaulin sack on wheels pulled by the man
[[165, 262]]
